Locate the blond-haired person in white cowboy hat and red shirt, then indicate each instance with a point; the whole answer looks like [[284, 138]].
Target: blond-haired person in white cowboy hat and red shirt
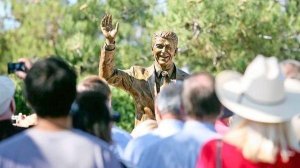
[[261, 135]]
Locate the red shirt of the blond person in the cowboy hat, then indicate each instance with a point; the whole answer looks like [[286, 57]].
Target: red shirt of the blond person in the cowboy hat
[[232, 157]]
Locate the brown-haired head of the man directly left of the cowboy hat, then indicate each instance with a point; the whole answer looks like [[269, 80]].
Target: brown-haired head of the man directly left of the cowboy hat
[[199, 98]]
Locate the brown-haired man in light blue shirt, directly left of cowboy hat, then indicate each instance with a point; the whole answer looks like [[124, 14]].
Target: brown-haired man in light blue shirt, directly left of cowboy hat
[[202, 106]]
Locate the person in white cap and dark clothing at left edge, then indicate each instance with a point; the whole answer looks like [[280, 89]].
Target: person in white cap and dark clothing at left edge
[[7, 108]]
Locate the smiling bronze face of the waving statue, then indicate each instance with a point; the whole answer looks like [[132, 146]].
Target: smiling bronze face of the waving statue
[[163, 51]]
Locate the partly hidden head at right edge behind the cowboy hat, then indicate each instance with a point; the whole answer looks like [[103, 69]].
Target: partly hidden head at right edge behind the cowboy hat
[[291, 69]]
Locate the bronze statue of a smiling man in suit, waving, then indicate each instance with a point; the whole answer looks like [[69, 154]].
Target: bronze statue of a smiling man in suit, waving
[[142, 83]]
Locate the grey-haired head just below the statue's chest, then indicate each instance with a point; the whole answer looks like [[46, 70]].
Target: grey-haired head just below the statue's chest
[[168, 101]]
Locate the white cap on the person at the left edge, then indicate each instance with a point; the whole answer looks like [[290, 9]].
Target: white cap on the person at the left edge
[[7, 90]]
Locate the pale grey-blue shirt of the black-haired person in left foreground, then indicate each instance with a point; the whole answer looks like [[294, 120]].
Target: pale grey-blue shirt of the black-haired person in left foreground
[[67, 148]]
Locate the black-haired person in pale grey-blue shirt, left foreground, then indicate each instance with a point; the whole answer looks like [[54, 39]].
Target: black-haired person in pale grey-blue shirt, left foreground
[[50, 88]]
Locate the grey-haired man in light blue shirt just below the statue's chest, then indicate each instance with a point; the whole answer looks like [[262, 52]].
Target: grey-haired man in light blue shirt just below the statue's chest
[[169, 115]]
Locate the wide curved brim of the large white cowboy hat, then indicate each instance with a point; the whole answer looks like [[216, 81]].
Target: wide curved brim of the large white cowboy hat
[[228, 89]]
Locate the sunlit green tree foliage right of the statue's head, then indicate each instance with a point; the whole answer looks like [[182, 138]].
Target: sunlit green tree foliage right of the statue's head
[[216, 35]]
